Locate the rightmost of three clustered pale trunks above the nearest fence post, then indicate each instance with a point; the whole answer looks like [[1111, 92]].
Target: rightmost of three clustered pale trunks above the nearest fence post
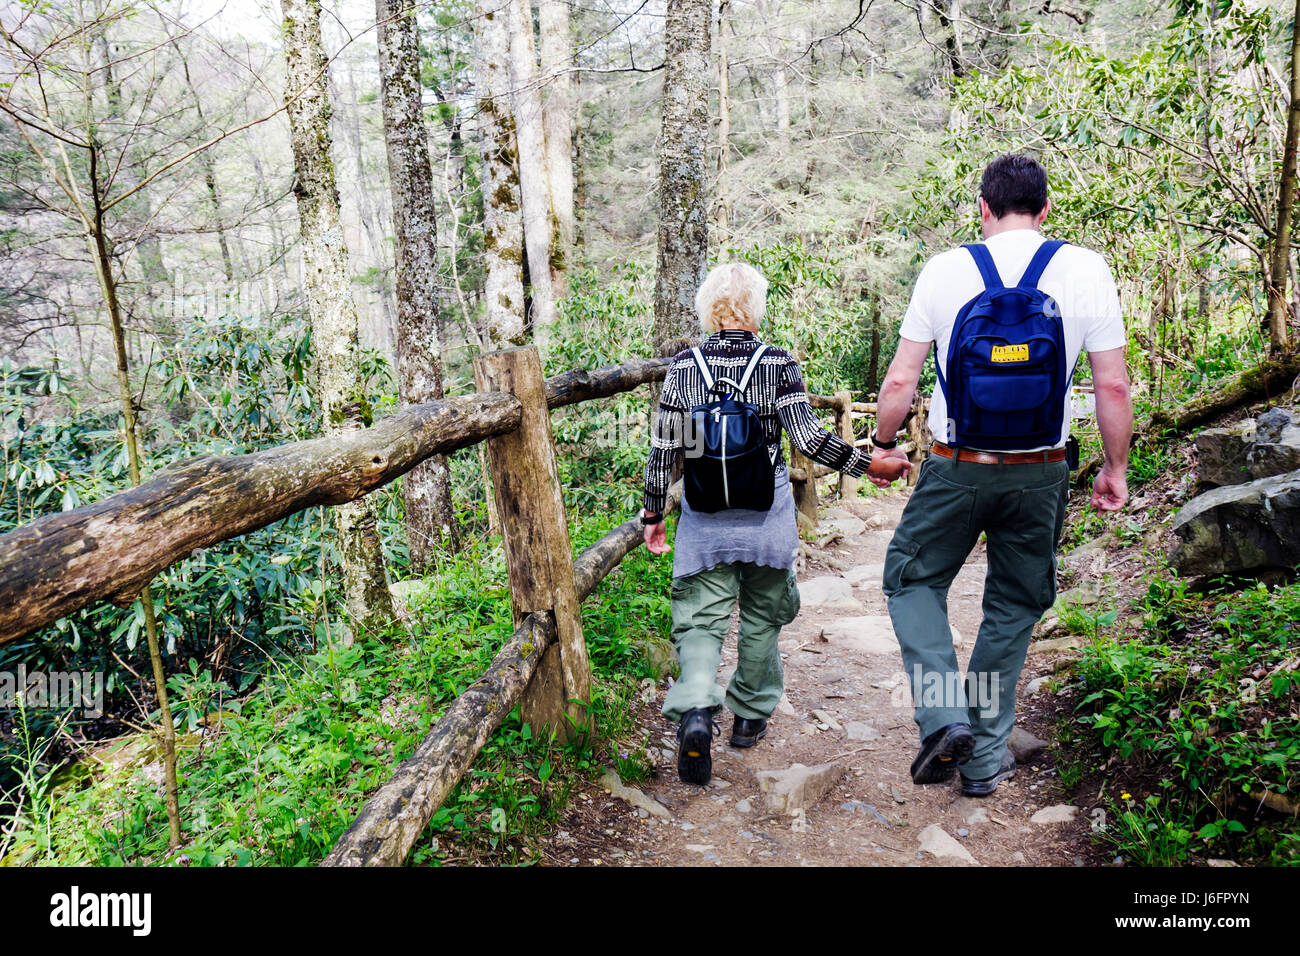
[[557, 53]]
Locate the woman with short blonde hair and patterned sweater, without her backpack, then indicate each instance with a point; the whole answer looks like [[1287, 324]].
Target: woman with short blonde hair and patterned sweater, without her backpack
[[735, 553]]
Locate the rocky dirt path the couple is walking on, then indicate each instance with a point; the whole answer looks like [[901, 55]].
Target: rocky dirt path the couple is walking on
[[830, 785]]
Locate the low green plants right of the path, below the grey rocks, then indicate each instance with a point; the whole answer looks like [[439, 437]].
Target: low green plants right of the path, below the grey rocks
[[1203, 706]]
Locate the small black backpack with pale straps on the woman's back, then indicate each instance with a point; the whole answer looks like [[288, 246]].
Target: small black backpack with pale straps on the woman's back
[[726, 451]]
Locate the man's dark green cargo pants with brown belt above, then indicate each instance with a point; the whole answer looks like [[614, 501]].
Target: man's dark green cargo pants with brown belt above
[[1021, 509]]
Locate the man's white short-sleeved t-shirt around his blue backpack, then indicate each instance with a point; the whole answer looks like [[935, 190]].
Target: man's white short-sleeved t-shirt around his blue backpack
[[1078, 279]]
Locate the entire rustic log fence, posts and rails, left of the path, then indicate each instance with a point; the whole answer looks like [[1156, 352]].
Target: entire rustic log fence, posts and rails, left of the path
[[111, 550]]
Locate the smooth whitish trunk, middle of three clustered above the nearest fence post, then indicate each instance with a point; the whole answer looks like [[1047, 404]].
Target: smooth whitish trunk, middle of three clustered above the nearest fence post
[[534, 189]]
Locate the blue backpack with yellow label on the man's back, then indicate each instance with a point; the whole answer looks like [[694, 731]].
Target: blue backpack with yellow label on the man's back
[[1007, 378]]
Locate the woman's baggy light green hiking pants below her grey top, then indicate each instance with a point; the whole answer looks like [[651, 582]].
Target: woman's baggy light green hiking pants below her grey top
[[701, 616]]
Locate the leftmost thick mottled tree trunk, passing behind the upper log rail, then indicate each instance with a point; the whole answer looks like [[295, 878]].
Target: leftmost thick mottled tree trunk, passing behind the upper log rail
[[341, 392]]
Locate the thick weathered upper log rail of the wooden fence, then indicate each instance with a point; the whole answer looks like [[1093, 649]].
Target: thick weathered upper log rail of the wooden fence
[[109, 551]]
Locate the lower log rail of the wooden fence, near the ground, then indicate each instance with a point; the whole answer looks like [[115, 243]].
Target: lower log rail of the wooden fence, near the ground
[[396, 815]]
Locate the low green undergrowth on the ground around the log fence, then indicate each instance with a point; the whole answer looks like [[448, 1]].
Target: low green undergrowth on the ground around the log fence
[[274, 777]]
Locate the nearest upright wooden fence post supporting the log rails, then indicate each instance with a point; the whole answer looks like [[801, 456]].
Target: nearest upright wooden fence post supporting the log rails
[[535, 529]]
